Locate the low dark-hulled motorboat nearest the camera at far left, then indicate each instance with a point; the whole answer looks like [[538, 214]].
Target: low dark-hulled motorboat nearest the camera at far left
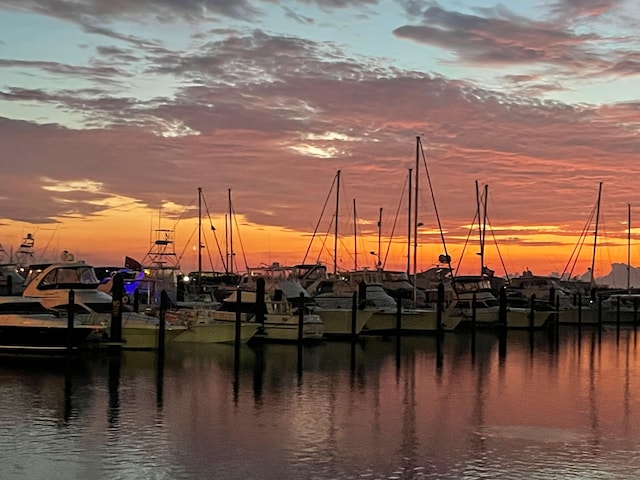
[[26, 326]]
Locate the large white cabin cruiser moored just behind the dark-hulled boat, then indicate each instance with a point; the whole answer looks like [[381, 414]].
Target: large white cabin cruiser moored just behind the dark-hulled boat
[[50, 284]]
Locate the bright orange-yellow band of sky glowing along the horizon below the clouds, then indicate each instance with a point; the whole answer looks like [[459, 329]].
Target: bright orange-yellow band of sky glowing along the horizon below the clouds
[[102, 240]]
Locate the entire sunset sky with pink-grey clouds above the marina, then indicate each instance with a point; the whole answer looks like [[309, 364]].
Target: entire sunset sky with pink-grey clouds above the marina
[[113, 114]]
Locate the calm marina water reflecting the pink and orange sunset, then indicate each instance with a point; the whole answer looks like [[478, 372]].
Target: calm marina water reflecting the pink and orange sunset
[[533, 407]]
